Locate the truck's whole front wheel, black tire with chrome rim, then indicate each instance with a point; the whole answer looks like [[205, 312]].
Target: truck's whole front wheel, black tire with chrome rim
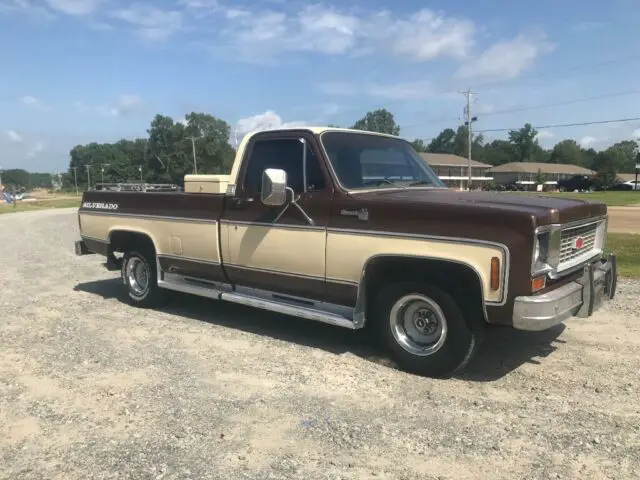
[[423, 328]]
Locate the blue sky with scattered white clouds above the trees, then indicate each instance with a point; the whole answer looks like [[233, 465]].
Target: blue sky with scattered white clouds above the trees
[[80, 71]]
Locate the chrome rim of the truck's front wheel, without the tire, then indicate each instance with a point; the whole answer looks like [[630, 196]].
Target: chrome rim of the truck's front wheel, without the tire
[[418, 324]]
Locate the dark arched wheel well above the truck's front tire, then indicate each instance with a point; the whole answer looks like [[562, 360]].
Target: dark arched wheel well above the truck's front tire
[[458, 279]]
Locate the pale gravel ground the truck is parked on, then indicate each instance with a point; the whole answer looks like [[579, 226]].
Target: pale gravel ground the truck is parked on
[[91, 388]]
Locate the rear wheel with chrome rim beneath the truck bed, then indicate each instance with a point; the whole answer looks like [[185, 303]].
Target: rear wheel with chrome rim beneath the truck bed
[[140, 294]]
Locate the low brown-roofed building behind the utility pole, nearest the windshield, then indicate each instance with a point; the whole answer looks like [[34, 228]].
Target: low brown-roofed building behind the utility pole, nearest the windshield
[[453, 170]]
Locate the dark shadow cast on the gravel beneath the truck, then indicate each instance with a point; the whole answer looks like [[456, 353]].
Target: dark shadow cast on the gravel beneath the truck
[[502, 351]]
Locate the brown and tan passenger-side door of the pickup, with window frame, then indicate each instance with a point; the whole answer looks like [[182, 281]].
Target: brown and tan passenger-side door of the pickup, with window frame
[[284, 255]]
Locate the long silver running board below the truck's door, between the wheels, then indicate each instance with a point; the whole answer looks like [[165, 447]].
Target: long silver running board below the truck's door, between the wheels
[[218, 292]]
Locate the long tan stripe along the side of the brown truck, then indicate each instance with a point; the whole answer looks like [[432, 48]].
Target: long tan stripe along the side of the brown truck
[[294, 251]]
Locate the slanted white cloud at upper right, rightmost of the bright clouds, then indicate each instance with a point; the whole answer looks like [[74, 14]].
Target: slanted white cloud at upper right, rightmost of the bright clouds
[[506, 60]]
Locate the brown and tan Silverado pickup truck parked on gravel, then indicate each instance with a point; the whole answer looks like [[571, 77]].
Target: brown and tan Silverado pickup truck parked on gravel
[[354, 229]]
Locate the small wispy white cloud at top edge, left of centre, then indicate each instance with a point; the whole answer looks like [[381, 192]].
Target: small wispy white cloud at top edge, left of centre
[[150, 23]]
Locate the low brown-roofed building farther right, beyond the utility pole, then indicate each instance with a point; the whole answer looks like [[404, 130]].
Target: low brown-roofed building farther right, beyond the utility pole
[[526, 173]]
